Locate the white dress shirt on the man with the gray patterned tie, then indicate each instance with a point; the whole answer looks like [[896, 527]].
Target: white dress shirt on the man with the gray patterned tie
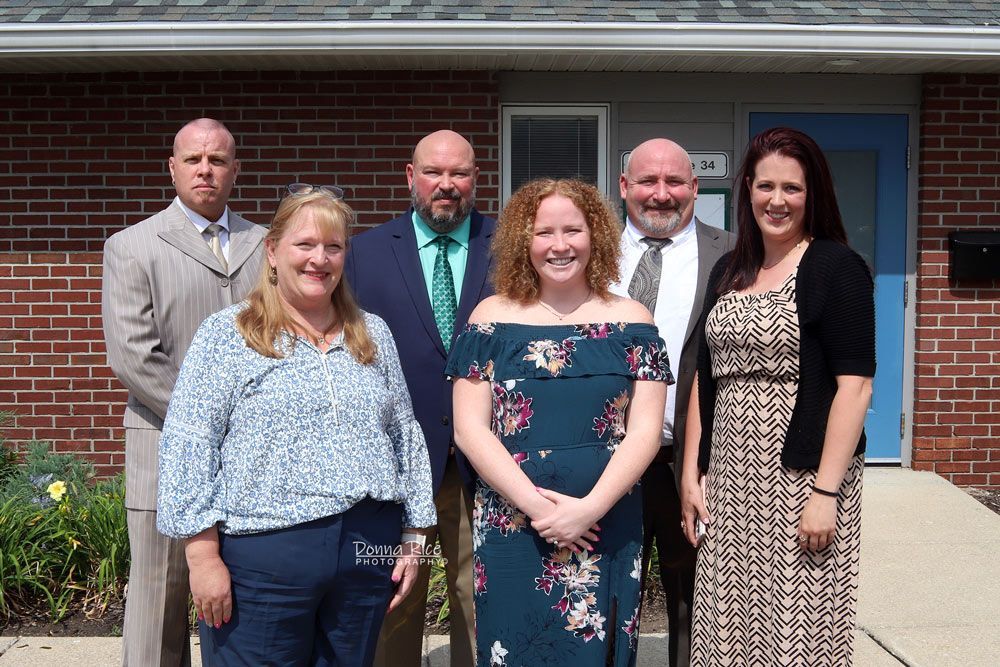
[[674, 300]]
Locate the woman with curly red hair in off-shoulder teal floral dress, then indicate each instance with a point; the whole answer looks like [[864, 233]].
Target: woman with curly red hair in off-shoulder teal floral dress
[[559, 394]]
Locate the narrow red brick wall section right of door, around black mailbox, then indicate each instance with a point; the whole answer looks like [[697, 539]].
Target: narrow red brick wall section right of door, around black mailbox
[[956, 430]]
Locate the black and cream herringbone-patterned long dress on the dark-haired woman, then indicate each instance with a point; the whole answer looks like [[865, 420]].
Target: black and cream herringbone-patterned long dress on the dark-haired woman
[[759, 598]]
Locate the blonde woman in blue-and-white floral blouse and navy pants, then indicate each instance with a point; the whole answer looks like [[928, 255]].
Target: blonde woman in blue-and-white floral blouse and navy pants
[[290, 459]]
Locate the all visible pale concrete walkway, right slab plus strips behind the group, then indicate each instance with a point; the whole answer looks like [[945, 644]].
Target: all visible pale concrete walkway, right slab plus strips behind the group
[[929, 593]]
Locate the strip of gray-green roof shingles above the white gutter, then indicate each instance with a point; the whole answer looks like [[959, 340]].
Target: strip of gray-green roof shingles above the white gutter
[[801, 12]]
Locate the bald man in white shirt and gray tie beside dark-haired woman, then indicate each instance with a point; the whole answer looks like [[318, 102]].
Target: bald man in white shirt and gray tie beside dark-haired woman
[[667, 254]]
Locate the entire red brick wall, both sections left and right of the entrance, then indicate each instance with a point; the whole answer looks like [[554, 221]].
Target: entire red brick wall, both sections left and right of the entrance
[[83, 155]]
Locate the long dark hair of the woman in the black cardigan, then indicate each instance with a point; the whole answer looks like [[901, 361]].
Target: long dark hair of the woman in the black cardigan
[[822, 215]]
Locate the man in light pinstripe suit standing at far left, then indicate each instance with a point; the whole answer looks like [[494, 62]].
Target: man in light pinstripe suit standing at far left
[[162, 277]]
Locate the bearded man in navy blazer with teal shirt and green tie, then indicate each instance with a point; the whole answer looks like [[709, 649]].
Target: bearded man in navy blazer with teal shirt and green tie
[[423, 273]]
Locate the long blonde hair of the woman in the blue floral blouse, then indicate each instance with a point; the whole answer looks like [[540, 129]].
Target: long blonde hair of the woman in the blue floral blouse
[[265, 318]]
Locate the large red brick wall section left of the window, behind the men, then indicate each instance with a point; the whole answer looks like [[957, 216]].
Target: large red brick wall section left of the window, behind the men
[[83, 155]]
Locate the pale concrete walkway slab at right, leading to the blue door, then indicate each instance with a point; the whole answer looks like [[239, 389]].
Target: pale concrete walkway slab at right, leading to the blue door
[[930, 571]]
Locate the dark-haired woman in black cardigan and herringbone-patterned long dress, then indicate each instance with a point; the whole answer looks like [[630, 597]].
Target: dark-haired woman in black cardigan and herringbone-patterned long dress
[[775, 439]]
